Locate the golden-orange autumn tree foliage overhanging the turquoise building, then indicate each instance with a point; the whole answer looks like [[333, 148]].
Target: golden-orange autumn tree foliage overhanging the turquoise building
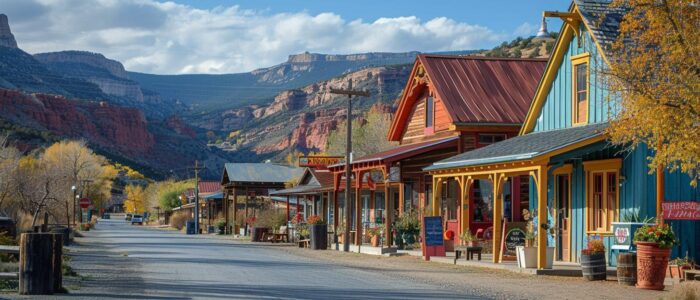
[[654, 73]]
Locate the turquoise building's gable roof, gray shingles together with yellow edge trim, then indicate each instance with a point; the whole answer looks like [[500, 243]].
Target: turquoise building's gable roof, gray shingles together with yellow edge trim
[[602, 21]]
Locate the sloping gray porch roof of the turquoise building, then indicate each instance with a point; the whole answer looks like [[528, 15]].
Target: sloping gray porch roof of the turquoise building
[[521, 147]]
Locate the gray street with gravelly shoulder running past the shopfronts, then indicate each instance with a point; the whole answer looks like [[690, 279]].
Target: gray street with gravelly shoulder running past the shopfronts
[[120, 261]]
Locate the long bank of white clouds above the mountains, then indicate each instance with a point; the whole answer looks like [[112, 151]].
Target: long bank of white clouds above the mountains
[[167, 38]]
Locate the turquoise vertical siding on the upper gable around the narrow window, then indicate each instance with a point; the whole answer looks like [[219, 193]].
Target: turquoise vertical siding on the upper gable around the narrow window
[[556, 111]]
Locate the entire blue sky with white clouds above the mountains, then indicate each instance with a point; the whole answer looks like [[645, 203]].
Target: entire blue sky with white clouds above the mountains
[[218, 36]]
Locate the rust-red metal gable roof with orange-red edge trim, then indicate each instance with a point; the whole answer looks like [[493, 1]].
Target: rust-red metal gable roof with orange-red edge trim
[[474, 89]]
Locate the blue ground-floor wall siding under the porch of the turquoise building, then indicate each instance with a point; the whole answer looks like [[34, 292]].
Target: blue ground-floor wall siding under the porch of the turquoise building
[[637, 193]]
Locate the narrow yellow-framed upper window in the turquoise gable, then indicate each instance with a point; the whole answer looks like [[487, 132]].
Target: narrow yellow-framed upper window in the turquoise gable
[[580, 85]]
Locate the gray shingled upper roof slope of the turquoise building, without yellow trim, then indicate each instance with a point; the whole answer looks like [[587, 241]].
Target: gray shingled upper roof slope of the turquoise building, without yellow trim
[[603, 21]]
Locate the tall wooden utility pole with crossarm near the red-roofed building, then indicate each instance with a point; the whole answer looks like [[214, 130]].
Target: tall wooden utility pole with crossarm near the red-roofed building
[[348, 167]]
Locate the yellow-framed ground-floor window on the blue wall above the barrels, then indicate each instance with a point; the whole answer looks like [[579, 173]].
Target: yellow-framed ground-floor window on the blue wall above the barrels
[[602, 203]]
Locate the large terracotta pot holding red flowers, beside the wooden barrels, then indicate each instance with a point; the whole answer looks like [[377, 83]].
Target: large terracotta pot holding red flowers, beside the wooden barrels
[[652, 262]]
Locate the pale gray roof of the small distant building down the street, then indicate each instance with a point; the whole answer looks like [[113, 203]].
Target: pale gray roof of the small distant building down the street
[[261, 172]]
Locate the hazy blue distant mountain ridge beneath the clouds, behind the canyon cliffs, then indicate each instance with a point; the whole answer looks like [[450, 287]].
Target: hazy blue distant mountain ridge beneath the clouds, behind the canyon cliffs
[[209, 93]]
